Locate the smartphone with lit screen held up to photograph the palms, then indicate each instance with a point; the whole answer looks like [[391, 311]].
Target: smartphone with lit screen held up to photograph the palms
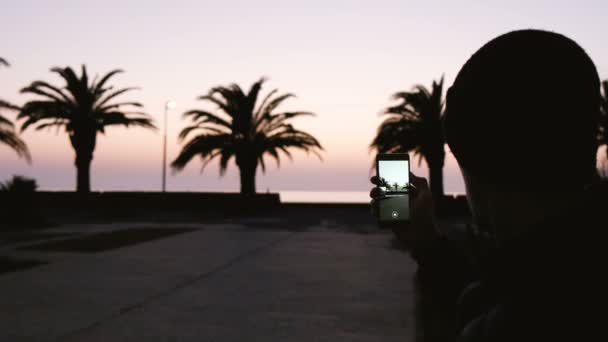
[[393, 171]]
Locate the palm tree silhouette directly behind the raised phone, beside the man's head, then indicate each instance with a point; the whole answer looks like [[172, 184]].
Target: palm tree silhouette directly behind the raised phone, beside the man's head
[[414, 124]]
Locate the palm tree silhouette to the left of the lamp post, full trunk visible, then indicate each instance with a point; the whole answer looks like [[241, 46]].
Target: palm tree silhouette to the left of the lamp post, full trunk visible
[[84, 109]]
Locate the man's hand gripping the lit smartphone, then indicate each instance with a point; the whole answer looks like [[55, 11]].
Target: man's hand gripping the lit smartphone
[[421, 231]]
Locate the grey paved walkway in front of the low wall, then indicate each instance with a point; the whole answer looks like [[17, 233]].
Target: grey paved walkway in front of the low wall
[[217, 283]]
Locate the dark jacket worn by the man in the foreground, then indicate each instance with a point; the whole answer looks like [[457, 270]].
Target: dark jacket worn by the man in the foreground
[[544, 286]]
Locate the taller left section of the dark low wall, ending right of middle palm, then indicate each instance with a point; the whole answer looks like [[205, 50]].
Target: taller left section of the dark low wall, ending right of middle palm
[[70, 206]]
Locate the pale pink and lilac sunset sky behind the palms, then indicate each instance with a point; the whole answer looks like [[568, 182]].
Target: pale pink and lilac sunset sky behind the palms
[[343, 60]]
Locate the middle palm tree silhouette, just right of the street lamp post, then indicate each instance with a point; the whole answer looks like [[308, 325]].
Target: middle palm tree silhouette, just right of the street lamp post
[[243, 130]]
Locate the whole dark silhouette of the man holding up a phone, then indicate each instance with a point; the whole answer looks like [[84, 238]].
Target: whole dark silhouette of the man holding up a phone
[[521, 121]]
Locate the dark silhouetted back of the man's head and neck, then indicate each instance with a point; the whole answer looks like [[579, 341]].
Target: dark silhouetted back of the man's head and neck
[[522, 116]]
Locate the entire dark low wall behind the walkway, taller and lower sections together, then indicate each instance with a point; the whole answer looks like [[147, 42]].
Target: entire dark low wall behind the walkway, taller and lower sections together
[[70, 207]]
